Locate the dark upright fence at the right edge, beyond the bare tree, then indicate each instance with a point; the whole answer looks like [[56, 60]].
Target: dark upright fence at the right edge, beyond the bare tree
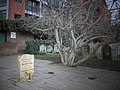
[[109, 52]]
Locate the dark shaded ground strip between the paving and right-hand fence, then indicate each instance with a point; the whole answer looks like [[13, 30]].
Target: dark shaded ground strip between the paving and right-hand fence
[[102, 64]]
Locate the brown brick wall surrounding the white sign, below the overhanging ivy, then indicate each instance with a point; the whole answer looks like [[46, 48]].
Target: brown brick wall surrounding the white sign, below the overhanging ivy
[[15, 45]]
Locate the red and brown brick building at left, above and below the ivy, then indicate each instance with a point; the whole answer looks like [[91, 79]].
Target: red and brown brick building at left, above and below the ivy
[[13, 42]]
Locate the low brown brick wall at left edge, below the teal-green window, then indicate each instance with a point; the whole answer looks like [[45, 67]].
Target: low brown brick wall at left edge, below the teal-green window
[[8, 48]]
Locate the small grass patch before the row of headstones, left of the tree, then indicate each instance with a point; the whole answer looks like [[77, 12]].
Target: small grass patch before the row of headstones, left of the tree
[[55, 57]]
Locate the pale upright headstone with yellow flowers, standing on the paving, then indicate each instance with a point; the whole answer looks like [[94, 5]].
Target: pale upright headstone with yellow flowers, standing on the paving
[[26, 67]]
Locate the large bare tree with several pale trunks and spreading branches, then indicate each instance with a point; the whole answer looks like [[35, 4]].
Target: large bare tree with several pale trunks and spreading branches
[[75, 25]]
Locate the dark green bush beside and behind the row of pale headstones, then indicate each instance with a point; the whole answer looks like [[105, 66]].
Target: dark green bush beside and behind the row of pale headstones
[[32, 46]]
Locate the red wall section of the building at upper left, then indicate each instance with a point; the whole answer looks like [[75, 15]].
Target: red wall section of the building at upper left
[[16, 8]]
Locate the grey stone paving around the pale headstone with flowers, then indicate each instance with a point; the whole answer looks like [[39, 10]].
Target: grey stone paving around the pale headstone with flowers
[[64, 78]]
